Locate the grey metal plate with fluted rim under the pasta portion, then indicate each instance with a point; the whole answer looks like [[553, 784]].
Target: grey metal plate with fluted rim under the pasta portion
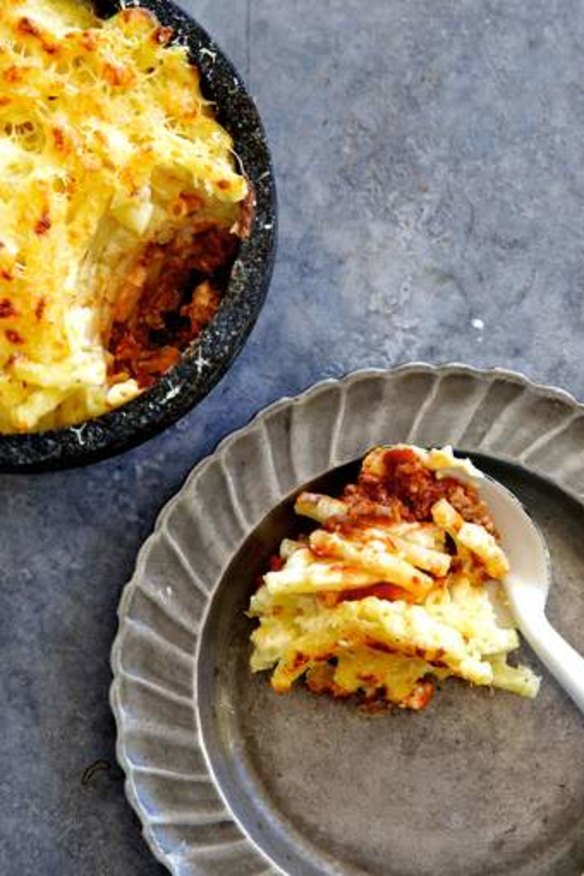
[[230, 779]]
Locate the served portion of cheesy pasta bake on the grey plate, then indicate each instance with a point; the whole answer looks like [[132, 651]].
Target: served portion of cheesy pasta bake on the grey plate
[[393, 590]]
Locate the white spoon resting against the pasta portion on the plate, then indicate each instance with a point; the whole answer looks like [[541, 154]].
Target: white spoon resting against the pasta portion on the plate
[[527, 586]]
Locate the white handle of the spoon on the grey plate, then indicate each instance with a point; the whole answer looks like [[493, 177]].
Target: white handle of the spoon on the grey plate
[[563, 661]]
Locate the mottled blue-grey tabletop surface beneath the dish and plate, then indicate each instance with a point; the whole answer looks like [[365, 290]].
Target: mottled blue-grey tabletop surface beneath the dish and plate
[[430, 159]]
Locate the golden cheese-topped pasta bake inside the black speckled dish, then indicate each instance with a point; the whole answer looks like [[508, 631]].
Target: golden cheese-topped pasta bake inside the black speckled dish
[[121, 209]]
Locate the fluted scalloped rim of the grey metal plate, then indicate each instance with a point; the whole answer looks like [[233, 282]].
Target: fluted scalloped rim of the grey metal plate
[[553, 454]]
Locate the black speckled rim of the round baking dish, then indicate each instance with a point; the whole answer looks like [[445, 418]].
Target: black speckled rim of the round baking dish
[[206, 361]]
